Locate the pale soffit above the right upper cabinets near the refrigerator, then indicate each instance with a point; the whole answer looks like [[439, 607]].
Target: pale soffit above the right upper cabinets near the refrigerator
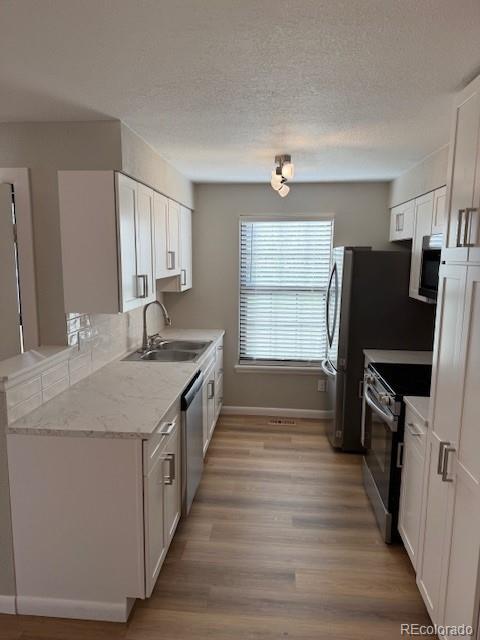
[[427, 175]]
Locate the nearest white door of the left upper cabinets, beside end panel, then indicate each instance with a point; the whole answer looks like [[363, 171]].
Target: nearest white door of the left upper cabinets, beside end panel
[[127, 223]]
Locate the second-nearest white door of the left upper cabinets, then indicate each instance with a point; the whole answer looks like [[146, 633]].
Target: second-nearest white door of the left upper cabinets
[[144, 237]]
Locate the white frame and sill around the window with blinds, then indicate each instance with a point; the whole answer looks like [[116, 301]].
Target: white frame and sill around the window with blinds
[[275, 366]]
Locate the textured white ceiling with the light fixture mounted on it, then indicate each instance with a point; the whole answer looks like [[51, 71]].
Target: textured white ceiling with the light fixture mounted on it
[[353, 89]]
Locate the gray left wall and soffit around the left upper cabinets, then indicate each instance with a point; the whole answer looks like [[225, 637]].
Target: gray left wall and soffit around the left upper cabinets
[[46, 147]]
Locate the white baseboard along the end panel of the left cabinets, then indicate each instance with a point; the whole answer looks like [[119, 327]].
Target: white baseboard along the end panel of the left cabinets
[[75, 609]]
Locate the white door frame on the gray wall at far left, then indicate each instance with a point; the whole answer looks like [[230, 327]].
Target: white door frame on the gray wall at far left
[[20, 179]]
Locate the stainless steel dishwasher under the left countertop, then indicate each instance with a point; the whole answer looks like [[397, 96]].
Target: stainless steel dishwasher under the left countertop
[[192, 441]]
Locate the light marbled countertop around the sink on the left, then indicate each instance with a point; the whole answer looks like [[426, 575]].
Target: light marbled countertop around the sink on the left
[[123, 399]]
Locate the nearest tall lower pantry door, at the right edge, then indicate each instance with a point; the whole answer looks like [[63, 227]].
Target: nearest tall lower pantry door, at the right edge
[[461, 579]]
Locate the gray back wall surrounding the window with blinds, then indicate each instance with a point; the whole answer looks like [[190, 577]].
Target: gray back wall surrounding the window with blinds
[[360, 219]]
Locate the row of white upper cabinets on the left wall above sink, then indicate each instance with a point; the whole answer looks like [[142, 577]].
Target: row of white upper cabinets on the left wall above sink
[[118, 237]]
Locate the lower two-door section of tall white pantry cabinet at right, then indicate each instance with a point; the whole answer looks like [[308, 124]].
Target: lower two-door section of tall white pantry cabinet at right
[[448, 569]]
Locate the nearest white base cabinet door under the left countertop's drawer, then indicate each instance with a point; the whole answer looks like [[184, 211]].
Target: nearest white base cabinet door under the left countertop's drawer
[[155, 547]]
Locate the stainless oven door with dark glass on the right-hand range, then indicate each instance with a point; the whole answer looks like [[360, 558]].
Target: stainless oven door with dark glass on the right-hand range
[[381, 469]]
